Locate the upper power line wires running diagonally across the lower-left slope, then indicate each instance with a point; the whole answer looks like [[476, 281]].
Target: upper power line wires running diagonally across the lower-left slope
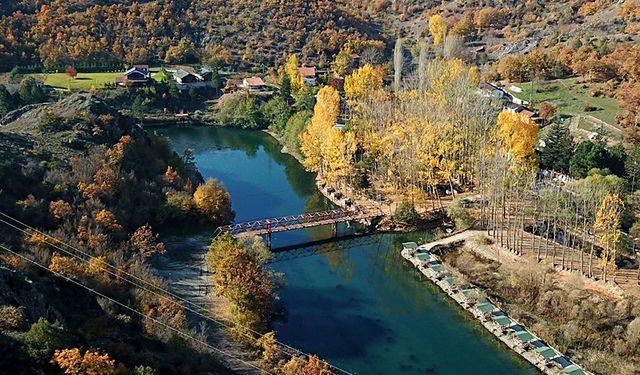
[[118, 274]]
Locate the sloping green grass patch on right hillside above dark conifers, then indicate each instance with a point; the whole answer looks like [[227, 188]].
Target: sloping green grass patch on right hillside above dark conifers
[[571, 97]]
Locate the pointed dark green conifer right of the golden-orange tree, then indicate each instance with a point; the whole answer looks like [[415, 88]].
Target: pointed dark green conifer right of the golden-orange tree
[[558, 148]]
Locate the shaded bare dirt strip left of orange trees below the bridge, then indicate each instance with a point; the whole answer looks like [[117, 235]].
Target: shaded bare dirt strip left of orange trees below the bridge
[[182, 266]]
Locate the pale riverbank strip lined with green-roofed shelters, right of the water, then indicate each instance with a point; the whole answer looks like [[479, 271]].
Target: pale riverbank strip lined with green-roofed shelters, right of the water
[[473, 300]]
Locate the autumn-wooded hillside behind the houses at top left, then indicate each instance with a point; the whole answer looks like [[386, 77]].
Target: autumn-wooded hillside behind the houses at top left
[[238, 32]]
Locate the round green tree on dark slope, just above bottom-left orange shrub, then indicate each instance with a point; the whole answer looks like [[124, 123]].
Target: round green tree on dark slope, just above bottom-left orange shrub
[[43, 338]]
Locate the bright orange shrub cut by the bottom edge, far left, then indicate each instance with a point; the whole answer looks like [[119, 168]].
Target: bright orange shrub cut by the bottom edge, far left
[[72, 362]]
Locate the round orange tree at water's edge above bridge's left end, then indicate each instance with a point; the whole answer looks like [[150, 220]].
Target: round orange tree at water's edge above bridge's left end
[[214, 202]]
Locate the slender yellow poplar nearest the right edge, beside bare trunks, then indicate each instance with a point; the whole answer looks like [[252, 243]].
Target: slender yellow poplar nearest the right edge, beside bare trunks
[[607, 226]]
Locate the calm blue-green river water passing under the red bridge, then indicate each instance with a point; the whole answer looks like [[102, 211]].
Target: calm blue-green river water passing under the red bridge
[[361, 307]]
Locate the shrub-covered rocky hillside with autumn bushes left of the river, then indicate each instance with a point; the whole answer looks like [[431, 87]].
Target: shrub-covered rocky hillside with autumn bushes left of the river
[[90, 178]]
